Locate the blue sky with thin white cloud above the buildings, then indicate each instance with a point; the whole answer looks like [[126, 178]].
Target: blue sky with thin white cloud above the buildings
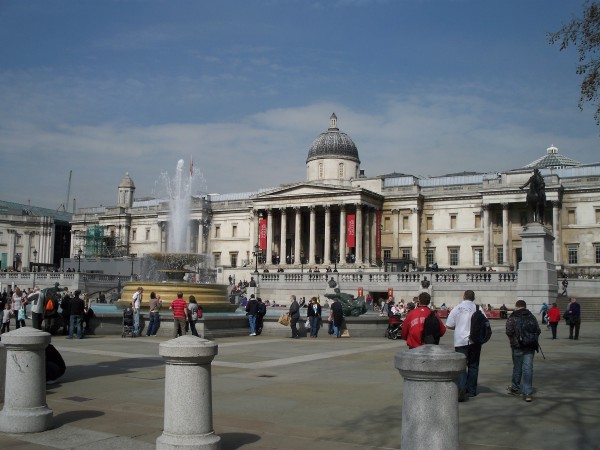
[[425, 87]]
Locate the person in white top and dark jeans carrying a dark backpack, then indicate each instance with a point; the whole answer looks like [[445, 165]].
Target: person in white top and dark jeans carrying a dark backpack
[[459, 320]]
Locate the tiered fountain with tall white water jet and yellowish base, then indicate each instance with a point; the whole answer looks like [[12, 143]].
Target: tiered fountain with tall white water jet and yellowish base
[[177, 270]]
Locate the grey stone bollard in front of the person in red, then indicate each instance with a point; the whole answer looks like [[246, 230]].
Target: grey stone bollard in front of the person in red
[[430, 397]]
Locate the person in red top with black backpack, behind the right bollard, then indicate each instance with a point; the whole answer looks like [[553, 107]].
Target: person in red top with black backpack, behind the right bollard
[[422, 325]]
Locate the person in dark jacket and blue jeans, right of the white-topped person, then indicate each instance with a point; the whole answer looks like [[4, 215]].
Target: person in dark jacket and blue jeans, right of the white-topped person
[[522, 330]]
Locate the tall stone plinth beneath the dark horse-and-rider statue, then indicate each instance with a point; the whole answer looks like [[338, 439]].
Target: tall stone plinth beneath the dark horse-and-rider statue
[[537, 281]]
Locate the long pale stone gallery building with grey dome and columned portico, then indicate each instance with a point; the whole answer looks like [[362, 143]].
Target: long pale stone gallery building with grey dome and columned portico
[[340, 217]]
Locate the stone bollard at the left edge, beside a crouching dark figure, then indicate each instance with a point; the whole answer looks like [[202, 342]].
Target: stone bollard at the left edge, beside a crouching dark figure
[[25, 409]]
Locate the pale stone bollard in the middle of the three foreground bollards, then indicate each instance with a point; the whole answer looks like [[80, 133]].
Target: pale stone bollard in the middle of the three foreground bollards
[[188, 394]]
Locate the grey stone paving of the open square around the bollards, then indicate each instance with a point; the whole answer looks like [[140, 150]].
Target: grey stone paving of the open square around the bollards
[[325, 393]]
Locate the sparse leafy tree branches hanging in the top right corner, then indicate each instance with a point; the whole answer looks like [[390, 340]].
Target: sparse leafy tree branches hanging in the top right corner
[[584, 34]]
